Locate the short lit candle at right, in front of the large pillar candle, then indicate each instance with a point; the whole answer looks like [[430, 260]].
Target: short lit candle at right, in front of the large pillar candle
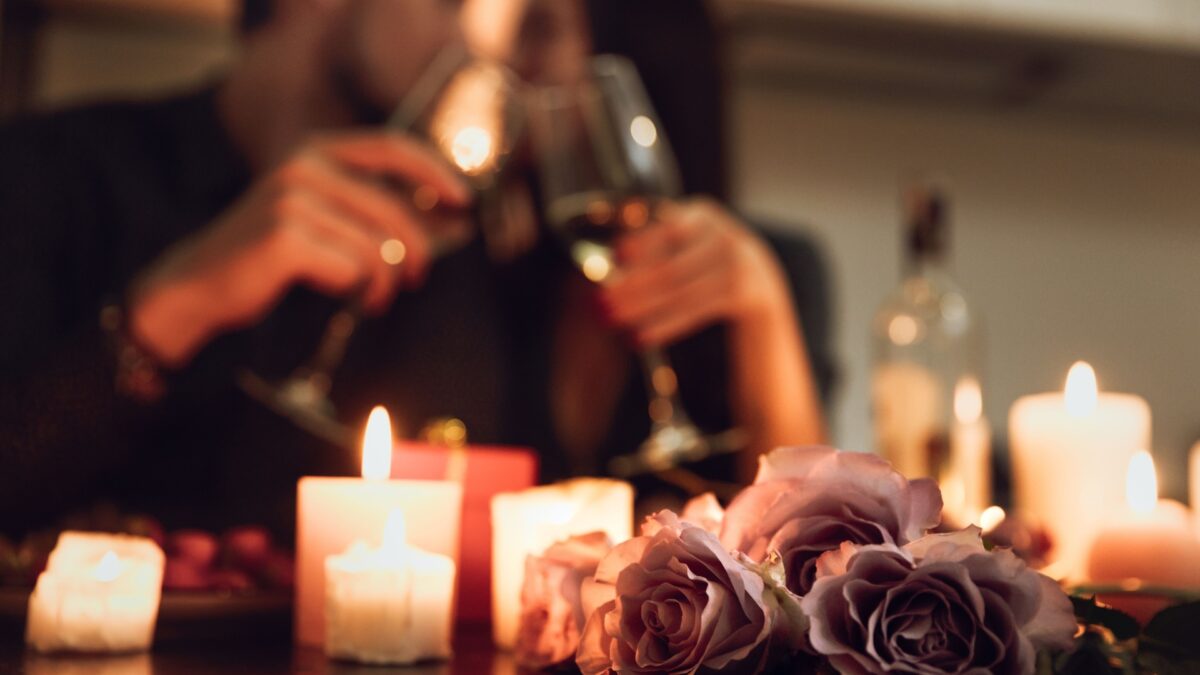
[[1151, 543]]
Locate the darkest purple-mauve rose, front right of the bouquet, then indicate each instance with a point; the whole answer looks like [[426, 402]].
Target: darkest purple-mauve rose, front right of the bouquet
[[940, 605]]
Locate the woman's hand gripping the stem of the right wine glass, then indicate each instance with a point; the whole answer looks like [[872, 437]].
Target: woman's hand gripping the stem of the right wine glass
[[695, 265]]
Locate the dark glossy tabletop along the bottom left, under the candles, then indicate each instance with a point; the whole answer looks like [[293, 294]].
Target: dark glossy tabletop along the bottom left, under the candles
[[475, 655]]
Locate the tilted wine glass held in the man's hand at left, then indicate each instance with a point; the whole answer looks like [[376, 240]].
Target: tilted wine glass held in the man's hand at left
[[470, 111]]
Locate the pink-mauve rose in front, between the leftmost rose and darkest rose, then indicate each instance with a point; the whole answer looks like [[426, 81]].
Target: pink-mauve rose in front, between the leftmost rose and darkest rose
[[675, 601]]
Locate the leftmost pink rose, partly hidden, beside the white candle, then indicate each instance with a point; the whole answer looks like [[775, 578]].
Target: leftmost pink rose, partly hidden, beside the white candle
[[551, 612]]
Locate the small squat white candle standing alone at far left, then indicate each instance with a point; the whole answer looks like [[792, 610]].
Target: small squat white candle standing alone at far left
[[99, 594]]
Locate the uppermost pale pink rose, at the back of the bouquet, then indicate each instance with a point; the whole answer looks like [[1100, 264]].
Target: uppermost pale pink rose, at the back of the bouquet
[[809, 500]]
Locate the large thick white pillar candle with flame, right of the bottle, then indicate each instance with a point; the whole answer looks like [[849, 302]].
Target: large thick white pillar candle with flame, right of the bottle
[[1070, 453]]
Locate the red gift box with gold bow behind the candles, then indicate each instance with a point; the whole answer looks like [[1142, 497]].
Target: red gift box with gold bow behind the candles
[[484, 473]]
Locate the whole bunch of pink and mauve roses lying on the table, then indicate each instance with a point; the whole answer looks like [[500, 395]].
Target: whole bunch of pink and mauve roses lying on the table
[[824, 564]]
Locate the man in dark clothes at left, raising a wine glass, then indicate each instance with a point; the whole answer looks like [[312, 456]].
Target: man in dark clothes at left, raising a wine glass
[[193, 219]]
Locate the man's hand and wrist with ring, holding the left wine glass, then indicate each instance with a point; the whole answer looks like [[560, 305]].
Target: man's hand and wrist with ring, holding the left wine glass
[[320, 219]]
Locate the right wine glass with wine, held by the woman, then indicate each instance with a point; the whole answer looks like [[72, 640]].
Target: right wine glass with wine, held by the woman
[[604, 165]]
